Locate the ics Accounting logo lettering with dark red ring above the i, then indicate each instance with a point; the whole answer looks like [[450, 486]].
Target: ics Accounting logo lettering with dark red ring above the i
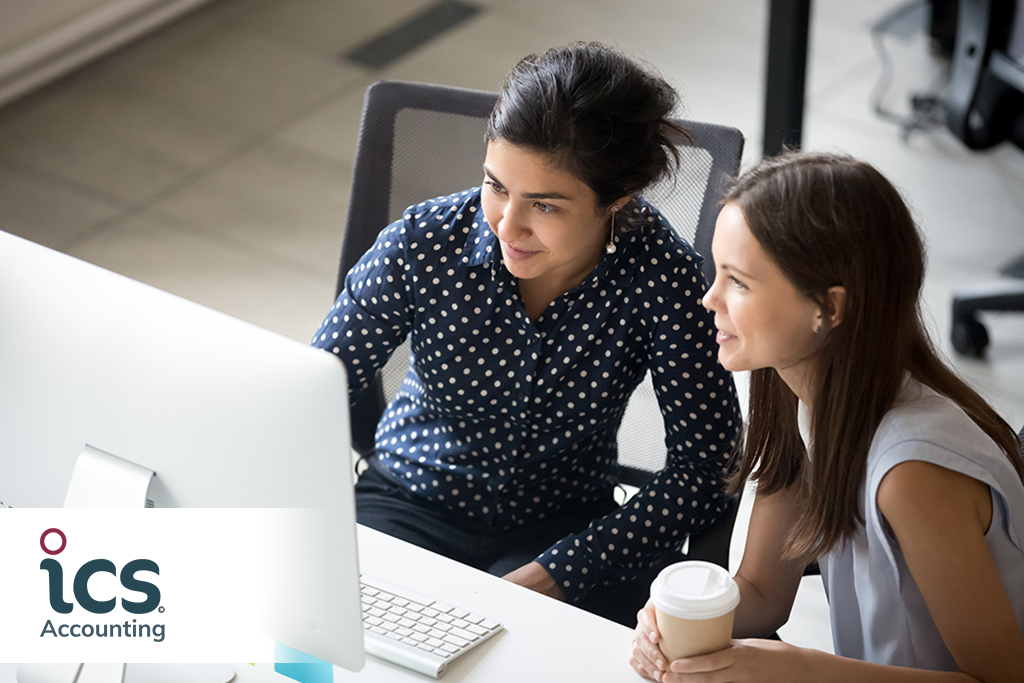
[[54, 542]]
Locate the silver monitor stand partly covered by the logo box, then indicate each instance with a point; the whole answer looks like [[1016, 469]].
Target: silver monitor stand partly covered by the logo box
[[104, 481]]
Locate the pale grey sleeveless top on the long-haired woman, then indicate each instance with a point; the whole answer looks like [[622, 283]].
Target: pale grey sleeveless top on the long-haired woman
[[878, 614]]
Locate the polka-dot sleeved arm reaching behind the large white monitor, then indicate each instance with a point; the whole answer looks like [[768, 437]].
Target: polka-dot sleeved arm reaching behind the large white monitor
[[374, 313]]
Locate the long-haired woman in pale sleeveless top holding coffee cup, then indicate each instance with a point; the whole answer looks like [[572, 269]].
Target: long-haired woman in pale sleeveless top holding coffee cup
[[871, 455]]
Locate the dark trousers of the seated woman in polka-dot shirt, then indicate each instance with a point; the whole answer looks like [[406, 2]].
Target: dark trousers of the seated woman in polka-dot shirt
[[388, 507]]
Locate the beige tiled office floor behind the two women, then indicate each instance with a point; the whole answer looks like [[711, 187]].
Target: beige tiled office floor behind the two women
[[214, 158]]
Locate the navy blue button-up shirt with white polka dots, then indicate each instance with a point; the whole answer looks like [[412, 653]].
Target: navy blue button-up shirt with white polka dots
[[506, 421]]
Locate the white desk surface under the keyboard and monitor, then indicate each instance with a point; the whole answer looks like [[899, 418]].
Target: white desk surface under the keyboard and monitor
[[544, 641]]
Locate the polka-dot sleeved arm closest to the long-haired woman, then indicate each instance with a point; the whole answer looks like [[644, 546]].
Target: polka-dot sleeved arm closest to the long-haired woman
[[702, 419]]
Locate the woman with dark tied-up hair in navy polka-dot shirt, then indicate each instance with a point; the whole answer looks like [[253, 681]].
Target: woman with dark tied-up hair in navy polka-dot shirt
[[535, 306]]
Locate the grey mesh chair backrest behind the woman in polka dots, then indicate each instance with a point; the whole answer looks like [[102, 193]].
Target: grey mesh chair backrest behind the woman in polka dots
[[419, 141]]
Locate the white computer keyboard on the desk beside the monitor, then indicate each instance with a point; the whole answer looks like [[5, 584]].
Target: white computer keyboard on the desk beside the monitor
[[417, 632]]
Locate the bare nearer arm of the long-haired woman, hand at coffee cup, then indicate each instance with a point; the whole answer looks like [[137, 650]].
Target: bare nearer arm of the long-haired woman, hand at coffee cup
[[940, 519]]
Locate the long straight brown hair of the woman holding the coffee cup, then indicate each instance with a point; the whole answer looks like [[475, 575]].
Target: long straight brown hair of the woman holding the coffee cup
[[830, 221]]
